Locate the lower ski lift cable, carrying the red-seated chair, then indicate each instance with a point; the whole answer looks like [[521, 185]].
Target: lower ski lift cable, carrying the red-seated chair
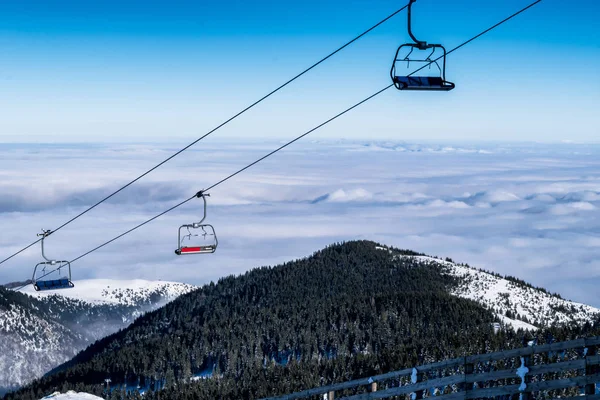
[[301, 136]]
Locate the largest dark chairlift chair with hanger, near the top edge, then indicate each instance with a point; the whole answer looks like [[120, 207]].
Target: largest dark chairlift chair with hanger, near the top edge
[[437, 82]]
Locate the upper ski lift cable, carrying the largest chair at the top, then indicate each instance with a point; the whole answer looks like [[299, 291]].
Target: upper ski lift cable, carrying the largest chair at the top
[[322, 60]]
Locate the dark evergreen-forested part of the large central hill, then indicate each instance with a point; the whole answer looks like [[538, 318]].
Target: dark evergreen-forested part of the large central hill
[[348, 311]]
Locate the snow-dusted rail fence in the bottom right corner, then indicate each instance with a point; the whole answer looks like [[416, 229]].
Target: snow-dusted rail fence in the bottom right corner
[[566, 370]]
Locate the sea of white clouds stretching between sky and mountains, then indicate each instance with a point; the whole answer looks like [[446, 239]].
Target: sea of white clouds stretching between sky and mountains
[[527, 210]]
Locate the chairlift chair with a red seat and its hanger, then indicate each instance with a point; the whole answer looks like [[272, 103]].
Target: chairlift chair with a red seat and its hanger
[[190, 242]]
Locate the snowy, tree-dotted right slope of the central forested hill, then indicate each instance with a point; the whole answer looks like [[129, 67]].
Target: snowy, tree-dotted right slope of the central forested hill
[[516, 303]]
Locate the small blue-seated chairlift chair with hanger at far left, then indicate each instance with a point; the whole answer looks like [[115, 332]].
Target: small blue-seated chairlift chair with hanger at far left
[[51, 274]]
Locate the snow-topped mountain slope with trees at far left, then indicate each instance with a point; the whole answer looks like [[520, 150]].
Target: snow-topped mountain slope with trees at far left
[[41, 330]]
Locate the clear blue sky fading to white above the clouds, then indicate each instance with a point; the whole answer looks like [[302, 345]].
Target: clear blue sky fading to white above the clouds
[[132, 70]]
